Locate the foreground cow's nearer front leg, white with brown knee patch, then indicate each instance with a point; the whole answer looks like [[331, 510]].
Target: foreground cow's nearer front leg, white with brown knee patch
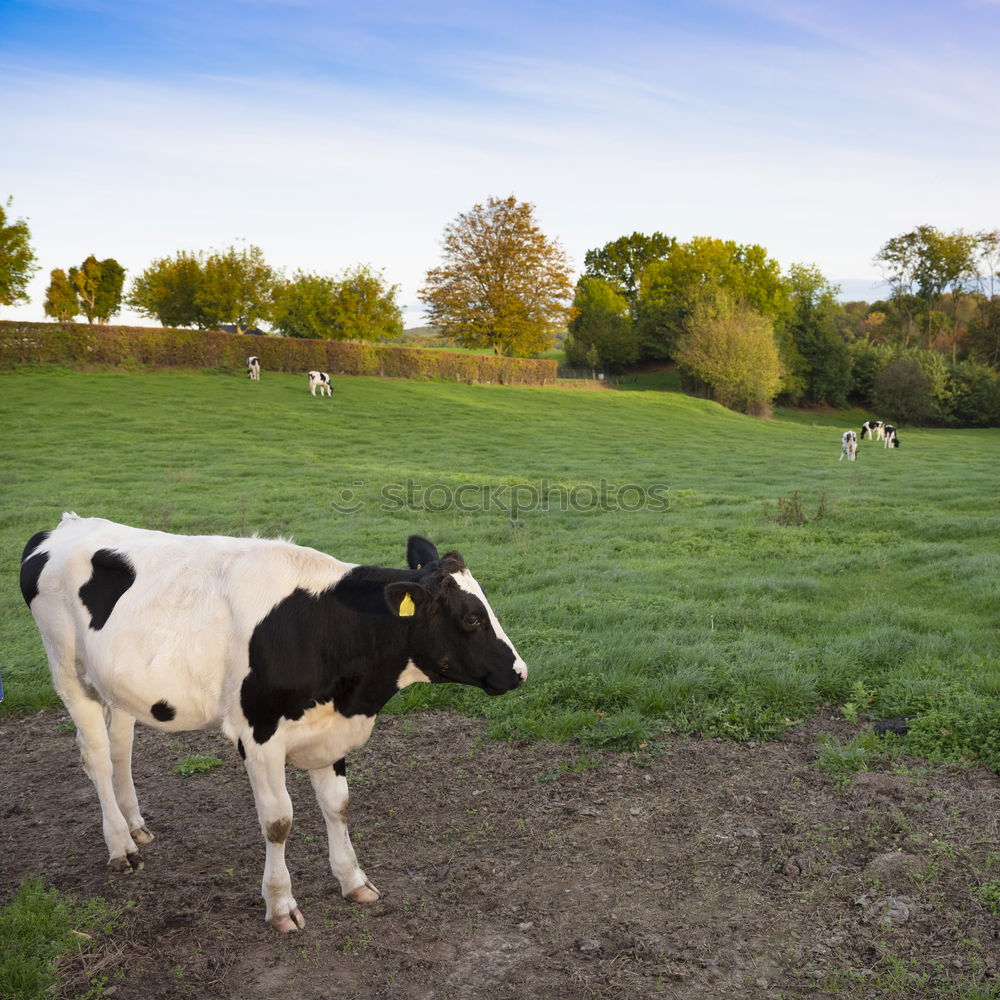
[[266, 768]]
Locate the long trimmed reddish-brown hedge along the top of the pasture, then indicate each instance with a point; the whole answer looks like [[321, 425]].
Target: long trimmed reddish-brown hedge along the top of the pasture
[[78, 345]]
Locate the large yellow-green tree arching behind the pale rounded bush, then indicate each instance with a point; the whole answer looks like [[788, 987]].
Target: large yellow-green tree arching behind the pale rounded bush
[[671, 288]]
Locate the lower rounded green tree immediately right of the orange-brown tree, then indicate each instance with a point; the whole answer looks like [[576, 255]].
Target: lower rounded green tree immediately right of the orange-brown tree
[[601, 331]]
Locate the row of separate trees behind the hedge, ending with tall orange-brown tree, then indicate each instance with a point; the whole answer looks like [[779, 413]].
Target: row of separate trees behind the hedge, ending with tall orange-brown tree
[[502, 284]]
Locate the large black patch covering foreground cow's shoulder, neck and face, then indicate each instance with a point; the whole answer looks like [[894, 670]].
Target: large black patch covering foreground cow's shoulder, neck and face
[[316, 649]]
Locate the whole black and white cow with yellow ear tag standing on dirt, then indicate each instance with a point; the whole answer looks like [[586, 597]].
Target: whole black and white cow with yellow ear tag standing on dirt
[[289, 652]]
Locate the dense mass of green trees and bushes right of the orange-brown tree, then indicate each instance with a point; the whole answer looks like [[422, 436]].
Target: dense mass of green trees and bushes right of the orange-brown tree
[[746, 334]]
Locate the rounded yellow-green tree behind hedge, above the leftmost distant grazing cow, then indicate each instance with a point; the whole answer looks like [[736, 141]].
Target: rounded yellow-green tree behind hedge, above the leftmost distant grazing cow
[[237, 286]]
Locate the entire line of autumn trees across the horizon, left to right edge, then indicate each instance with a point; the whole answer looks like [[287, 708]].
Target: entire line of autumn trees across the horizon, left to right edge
[[740, 330]]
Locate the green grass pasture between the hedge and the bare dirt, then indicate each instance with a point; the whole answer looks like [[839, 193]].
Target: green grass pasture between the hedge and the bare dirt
[[660, 589]]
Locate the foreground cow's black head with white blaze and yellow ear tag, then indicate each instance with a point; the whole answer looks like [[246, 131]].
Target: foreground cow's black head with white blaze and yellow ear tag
[[455, 636]]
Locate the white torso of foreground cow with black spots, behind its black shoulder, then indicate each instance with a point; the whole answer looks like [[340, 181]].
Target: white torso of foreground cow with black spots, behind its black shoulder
[[154, 619]]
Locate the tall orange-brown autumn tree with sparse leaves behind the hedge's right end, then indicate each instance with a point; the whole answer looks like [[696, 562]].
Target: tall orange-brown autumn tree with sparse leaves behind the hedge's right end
[[502, 283]]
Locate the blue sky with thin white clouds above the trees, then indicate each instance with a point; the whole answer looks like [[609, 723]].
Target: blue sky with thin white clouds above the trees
[[333, 134]]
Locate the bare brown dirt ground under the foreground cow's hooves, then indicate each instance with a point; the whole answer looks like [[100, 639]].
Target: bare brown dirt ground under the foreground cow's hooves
[[710, 869]]
